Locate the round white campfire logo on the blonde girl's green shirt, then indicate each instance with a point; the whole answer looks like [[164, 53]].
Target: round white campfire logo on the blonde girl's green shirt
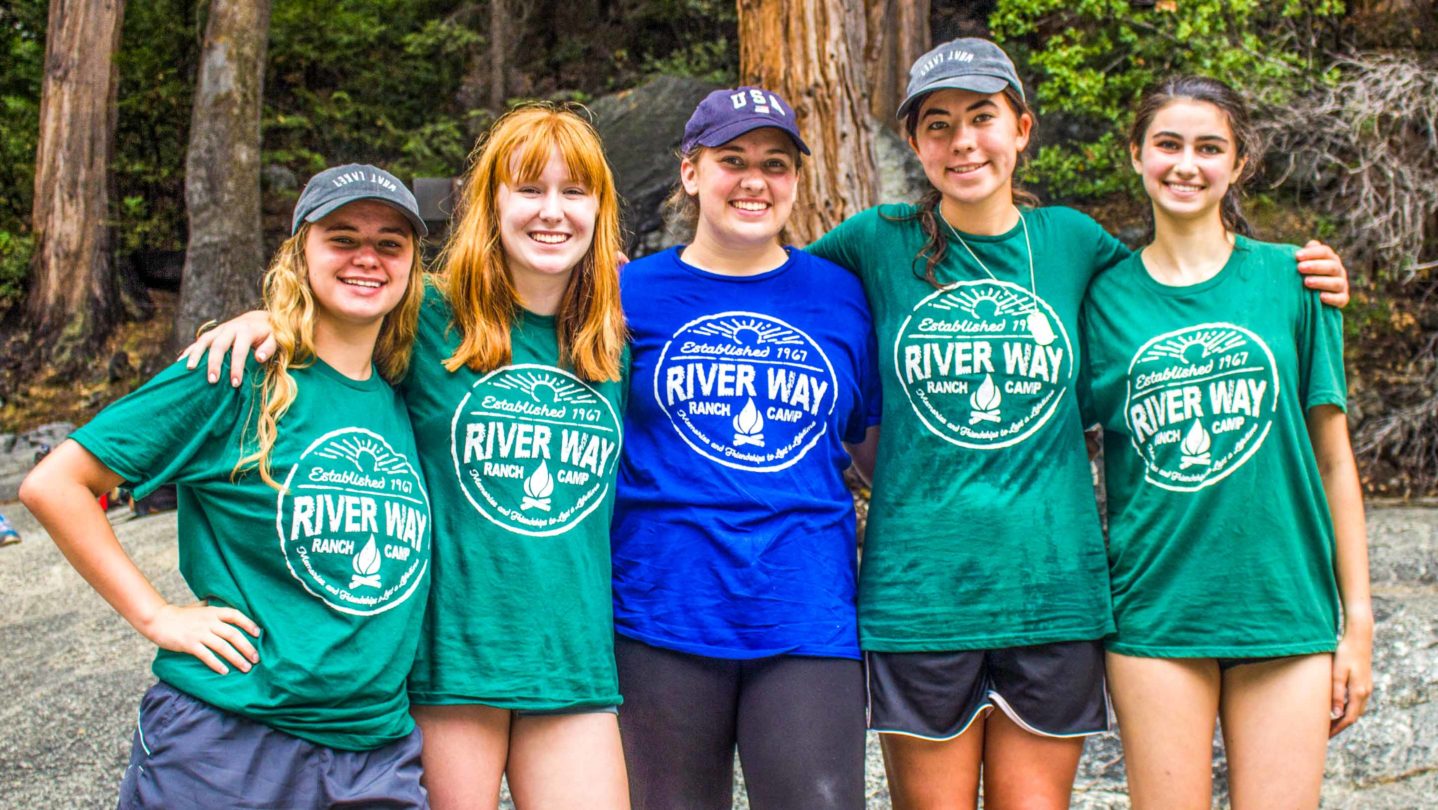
[[354, 523]]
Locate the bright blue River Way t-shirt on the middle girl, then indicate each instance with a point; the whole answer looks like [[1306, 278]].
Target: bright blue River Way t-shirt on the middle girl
[[734, 533]]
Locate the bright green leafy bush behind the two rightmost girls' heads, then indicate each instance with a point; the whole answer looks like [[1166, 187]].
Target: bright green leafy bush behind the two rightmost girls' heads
[[1092, 60]]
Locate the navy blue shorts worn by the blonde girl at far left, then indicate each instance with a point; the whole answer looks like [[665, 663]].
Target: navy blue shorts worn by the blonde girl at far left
[[192, 756]]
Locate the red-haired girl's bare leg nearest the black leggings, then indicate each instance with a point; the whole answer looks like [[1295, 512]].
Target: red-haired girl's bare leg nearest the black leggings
[[564, 762]]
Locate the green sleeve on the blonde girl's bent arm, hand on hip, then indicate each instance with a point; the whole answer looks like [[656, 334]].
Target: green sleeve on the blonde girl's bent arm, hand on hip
[[175, 429]]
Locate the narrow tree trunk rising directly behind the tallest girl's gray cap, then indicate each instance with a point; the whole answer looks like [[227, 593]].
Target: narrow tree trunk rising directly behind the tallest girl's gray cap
[[898, 37]]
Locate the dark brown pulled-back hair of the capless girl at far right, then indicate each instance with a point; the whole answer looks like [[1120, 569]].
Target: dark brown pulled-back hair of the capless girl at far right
[[1247, 145]]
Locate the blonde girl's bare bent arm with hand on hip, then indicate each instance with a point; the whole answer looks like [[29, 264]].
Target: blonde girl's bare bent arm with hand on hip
[[63, 493]]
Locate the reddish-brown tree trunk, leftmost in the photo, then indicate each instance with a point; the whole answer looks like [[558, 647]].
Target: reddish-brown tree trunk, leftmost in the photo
[[73, 303]]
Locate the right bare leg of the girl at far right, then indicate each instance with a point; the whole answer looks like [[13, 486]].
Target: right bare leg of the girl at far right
[[1276, 730]]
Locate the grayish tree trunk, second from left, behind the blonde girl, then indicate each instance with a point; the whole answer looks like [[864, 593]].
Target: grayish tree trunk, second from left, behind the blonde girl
[[225, 258]]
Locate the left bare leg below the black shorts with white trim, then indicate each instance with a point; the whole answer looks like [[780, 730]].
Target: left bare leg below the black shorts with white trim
[[934, 775]]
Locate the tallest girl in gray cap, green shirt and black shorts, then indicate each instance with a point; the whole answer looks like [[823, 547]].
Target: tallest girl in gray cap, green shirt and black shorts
[[984, 592]]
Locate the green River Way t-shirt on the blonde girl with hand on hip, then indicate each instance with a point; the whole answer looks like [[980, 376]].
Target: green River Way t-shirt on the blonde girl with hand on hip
[[336, 569]]
